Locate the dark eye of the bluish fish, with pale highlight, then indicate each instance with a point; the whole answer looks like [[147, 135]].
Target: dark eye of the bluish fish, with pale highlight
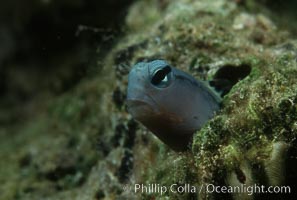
[[161, 77]]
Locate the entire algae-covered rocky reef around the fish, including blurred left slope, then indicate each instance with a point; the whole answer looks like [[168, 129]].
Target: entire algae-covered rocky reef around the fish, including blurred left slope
[[84, 144]]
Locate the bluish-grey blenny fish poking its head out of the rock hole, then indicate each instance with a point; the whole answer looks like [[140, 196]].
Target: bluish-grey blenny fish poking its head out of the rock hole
[[169, 102]]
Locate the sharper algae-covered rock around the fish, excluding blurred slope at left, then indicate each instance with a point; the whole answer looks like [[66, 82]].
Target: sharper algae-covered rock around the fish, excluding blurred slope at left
[[251, 141]]
